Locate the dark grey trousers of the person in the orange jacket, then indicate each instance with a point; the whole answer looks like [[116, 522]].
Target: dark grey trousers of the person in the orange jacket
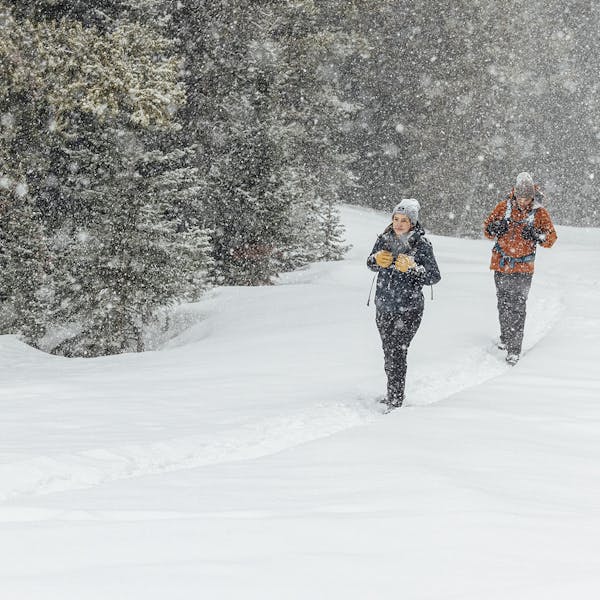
[[512, 290]]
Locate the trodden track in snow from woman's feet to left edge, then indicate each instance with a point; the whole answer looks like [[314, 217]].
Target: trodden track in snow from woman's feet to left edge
[[71, 471]]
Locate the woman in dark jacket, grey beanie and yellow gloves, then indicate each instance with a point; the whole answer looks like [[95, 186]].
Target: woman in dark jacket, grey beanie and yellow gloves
[[404, 261]]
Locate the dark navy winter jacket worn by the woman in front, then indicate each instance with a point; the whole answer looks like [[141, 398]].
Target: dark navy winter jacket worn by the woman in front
[[397, 291]]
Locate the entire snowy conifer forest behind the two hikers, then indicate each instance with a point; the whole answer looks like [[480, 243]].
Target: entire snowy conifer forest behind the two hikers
[[153, 149]]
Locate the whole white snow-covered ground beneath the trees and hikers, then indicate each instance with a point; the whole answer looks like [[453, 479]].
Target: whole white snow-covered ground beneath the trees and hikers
[[247, 458]]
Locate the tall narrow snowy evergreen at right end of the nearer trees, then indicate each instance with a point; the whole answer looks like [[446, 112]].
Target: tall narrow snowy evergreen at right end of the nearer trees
[[313, 110]]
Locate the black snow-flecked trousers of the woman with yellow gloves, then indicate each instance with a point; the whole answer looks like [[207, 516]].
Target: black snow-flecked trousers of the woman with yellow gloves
[[397, 331]]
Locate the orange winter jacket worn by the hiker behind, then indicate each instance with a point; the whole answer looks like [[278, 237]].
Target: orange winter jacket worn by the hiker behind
[[512, 245]]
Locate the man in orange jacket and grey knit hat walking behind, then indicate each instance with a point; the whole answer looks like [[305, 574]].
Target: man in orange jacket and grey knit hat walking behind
[[518, 224]]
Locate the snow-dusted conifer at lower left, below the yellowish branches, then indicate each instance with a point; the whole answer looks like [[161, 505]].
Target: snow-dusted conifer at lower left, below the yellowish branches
[[124, 253]]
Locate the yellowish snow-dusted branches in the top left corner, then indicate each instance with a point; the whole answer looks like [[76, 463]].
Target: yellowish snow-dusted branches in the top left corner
[[126, 72]]
